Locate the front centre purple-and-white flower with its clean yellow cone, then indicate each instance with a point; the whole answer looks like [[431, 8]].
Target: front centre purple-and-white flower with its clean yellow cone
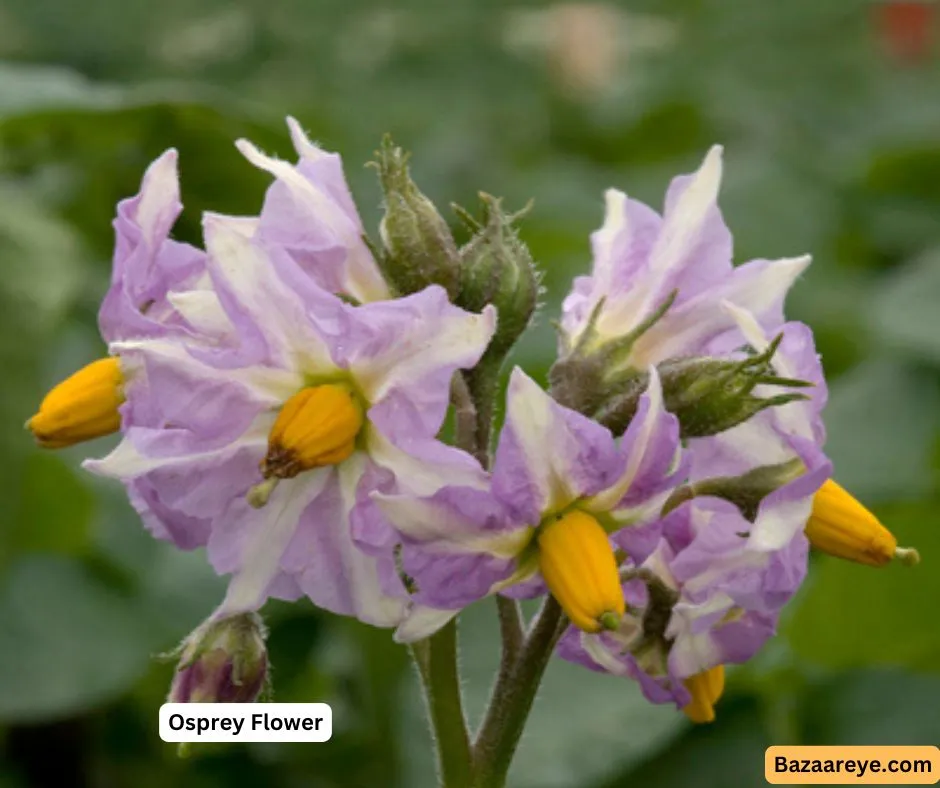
[[561, 488]]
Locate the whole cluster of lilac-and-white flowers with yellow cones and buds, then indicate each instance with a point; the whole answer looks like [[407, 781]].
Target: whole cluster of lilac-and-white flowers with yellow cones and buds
[[280, 396]]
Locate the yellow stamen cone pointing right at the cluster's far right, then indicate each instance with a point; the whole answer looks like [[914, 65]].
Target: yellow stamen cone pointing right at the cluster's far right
[[841, 526]]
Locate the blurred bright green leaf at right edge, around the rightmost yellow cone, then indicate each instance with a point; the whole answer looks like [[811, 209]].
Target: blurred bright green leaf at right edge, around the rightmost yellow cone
[[851, 615]]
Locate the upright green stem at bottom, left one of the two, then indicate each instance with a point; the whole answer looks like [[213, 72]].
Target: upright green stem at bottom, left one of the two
[[436, 659]]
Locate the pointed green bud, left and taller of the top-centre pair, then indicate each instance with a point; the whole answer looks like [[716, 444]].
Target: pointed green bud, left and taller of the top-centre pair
[[419, 249]]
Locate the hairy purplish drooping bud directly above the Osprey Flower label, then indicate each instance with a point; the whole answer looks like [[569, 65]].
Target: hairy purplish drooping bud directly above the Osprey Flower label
[[222, 662]]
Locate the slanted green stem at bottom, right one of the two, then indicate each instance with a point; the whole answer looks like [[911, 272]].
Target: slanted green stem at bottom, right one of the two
[[512, 698]]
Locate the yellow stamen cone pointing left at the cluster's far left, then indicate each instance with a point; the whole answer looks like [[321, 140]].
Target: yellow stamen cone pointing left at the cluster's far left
[[81, 407]]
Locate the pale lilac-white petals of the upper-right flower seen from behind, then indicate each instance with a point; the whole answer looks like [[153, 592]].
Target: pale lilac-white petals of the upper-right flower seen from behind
[[640, 260]]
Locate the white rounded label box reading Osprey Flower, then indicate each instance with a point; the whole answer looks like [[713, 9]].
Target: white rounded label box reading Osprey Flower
[[247, 722]]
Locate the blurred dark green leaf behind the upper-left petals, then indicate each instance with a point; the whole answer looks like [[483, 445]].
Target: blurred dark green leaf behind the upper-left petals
[[84, 160]]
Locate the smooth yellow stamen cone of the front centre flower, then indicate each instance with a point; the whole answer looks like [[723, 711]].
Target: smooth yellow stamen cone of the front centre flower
[[579, 568]]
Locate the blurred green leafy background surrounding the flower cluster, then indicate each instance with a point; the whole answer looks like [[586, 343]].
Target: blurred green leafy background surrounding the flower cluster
[[830, 117]]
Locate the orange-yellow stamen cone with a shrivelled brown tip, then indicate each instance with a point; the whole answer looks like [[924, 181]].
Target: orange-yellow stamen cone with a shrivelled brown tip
[[317, 426]]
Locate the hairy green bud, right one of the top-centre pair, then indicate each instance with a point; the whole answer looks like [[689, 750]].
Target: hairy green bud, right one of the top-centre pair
[[497, 268]]
